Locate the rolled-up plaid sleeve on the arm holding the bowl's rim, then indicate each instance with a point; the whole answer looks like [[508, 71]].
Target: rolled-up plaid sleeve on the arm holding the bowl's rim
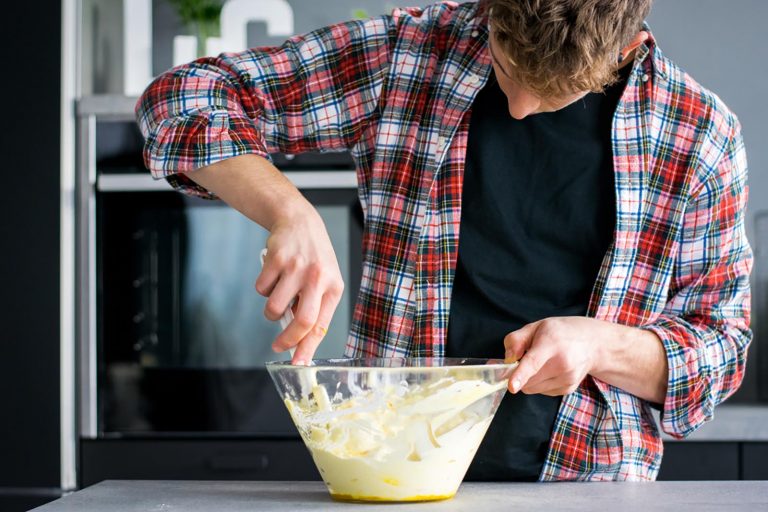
[[705, 325]]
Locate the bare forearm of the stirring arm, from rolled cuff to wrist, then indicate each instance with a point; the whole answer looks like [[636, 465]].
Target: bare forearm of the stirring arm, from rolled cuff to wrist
[[254, 187]]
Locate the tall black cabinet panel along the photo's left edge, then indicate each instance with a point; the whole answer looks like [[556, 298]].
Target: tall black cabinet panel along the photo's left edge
[[29, 227]]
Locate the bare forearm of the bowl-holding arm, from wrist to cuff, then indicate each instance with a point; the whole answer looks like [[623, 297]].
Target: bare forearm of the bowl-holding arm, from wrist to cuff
[[634, 360]]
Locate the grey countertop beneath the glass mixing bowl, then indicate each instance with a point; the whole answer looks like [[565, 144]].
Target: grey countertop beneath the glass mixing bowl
[[222, 496]]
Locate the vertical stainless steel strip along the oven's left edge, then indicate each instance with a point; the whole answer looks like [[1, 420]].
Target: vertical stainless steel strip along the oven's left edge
[[86, 272]]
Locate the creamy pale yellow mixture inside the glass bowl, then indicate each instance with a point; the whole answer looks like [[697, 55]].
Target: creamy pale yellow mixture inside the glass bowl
[[397, 443]]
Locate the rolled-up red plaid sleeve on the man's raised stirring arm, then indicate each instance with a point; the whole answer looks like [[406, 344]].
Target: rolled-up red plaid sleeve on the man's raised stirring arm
[[316, 92]]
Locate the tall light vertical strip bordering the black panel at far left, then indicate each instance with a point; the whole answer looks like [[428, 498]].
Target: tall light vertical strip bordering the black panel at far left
[[67, 403]]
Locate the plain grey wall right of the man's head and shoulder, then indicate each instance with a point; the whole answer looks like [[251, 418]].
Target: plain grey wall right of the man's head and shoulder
[[722, 45]]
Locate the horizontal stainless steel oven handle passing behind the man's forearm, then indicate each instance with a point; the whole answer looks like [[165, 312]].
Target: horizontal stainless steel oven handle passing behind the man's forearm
[[311, 179]]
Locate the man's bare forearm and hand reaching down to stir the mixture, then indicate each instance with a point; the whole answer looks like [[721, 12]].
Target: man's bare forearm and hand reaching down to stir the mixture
[[300, 263]]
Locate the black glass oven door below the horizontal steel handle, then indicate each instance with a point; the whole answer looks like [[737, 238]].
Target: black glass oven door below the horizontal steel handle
[[182, 339]]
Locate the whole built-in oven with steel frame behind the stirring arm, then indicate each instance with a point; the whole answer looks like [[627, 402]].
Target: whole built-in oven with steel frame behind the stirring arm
[[172, 336]]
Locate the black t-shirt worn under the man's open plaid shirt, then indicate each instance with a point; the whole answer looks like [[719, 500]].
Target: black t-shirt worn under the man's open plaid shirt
[[538, 213]]
